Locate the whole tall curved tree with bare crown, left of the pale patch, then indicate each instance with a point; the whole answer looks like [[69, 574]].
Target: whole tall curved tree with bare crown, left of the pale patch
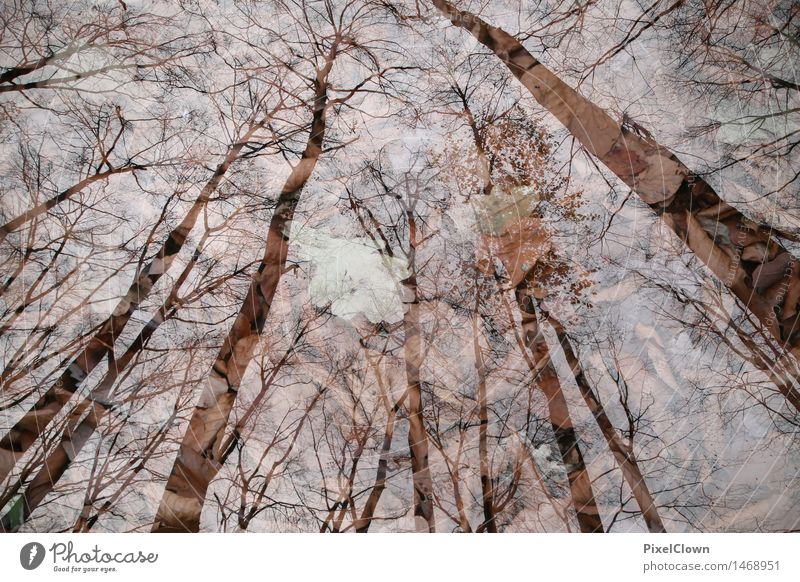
[[337, 38]]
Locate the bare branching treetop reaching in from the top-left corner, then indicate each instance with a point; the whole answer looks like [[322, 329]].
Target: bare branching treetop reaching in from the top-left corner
[[79, 47]]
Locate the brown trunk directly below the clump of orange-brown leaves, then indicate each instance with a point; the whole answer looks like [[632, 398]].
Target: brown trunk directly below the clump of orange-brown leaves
[[579, 481]]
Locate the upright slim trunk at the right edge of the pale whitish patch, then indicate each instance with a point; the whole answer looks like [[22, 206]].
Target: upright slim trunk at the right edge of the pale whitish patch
[[417, 434]]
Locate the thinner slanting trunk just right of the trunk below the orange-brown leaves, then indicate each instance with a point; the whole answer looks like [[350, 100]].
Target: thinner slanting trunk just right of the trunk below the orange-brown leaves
[[622, 451]]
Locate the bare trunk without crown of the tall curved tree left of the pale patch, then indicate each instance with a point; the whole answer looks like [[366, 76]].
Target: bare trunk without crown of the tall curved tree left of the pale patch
[[198, 459]]
